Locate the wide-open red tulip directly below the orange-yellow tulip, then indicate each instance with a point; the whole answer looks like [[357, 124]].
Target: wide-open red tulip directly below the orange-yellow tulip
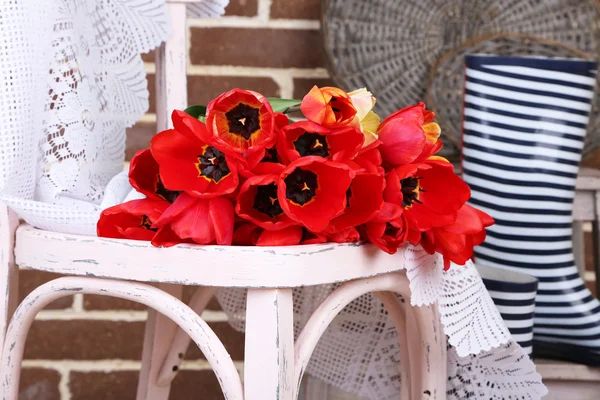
[[306, 138]]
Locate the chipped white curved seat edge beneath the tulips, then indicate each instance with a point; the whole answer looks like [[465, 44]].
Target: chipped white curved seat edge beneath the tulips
[[220, 266]]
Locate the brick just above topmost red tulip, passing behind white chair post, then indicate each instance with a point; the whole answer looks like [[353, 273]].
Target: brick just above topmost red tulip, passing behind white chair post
[[202, 89]]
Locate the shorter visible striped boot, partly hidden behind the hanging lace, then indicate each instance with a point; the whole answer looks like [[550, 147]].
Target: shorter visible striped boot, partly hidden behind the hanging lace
[[514, 295]]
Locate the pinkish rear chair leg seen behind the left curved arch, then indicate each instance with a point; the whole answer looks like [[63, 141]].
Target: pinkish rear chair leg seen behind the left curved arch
[[159, 334]]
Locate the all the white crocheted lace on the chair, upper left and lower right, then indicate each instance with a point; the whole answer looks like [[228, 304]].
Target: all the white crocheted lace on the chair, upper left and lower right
[[72, 80]]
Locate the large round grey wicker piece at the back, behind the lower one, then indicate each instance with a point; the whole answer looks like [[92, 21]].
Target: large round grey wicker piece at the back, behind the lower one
[[390, 45]]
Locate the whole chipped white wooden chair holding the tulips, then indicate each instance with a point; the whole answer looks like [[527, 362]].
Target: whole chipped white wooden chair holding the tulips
[[274, 363]]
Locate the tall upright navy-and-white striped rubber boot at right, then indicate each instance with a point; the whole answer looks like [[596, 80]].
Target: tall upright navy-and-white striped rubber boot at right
[[523, 130]]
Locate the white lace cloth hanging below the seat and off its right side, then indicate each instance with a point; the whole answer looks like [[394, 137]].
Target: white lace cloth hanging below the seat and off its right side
[[359, 353]]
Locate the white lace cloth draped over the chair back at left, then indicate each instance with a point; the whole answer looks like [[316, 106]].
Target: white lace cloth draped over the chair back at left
[[71, 81]]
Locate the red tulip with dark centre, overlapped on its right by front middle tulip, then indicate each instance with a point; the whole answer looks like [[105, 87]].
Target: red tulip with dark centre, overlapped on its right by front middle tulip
[[257, 202]]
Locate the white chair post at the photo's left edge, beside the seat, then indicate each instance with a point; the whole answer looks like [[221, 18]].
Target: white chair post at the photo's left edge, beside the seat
[[9, 272]]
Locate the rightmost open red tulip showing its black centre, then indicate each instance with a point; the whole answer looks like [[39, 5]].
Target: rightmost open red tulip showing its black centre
[[430, 193]]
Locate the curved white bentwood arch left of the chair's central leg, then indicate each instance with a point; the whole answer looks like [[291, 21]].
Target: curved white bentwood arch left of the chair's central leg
[[167, 305]]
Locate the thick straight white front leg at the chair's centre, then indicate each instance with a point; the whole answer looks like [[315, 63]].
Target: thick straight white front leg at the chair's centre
[[269, 354]]
